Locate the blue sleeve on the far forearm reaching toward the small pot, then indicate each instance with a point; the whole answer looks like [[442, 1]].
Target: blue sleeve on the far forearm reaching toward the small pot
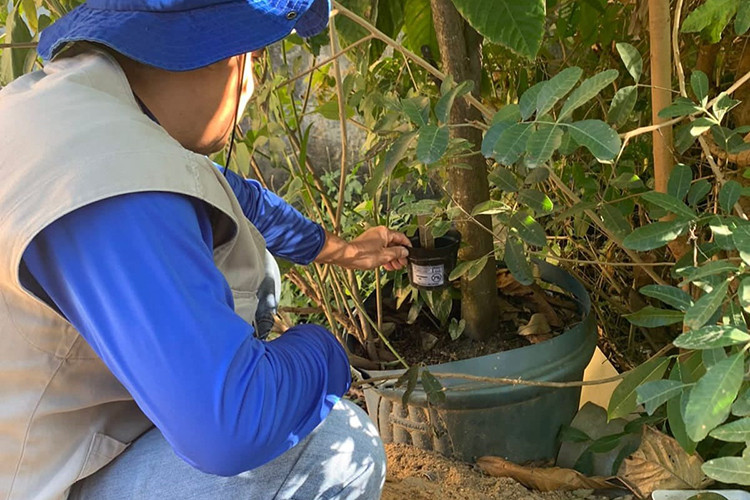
[[288, 233]]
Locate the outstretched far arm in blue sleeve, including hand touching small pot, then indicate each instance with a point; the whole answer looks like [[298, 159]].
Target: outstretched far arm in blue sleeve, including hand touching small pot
[[291, 235]]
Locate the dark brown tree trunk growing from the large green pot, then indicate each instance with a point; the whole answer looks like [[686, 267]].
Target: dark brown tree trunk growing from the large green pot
[[460, 52]]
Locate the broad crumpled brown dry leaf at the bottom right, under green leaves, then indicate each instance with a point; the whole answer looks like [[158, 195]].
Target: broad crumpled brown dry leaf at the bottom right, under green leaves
[[660, 463]]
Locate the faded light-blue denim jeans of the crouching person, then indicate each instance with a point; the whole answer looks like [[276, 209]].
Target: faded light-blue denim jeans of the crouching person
[[343, 458]]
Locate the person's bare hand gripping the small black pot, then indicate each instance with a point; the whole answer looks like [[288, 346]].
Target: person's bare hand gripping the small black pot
[[377, 246]]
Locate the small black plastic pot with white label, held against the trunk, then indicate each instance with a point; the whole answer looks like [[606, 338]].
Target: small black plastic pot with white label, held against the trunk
[[429, 268]]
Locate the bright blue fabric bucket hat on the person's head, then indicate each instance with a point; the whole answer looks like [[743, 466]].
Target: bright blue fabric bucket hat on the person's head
[[182, 35]]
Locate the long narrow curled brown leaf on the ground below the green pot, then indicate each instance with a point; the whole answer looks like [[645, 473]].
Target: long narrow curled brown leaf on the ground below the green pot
[[542, 478]]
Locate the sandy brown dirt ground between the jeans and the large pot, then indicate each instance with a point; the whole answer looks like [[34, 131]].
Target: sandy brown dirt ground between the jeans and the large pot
[[415, 474]]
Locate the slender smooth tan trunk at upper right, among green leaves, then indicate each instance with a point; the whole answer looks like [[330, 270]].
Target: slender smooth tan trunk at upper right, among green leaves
[[661, 88]]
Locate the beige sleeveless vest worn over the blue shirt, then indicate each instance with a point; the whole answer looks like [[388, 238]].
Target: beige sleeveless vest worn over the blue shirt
[[70, 135]]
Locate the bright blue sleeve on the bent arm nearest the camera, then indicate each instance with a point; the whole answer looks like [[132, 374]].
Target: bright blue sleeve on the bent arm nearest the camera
[[135, 276]]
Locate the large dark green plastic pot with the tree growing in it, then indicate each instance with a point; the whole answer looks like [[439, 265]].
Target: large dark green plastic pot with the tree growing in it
[[517, 422]]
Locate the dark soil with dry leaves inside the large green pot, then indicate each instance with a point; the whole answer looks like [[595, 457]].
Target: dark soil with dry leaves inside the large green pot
[[424, 342]]
